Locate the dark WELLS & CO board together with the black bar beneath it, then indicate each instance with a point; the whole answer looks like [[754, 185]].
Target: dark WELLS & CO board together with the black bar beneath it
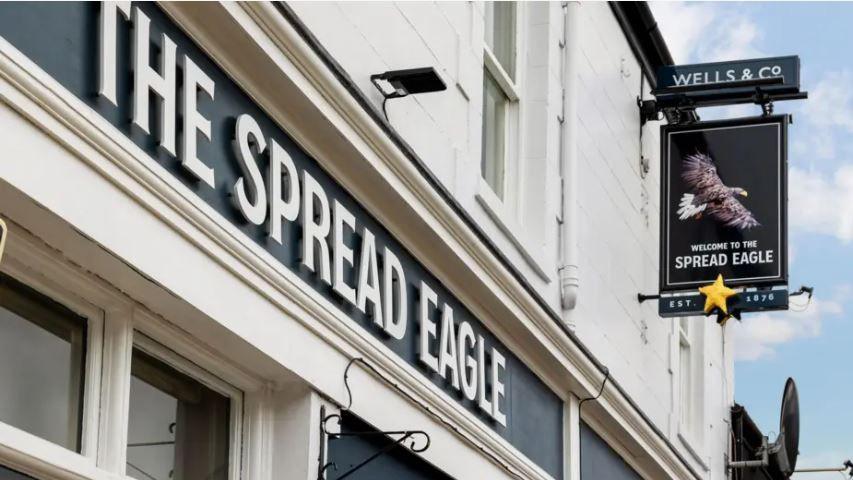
[[720, 83]]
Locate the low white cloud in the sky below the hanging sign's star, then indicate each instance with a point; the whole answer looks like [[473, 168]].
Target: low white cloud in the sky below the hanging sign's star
[[758, 335]]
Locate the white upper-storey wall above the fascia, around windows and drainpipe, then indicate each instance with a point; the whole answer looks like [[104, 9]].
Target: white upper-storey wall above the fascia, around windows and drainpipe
[[618, 241]]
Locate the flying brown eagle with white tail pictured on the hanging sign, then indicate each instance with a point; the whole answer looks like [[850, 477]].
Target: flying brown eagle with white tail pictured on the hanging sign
[[709, 195]]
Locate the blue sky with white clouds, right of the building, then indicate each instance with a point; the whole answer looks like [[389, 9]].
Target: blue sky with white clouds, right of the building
[[814, 346]]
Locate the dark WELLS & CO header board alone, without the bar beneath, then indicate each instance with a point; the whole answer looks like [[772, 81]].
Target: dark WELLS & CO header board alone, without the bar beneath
[[717, 74]]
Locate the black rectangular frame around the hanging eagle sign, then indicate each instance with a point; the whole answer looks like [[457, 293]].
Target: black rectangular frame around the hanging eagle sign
[[666, 203]]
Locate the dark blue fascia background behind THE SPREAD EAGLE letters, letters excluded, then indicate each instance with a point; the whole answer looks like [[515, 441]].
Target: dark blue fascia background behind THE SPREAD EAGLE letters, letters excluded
[[62, 38]]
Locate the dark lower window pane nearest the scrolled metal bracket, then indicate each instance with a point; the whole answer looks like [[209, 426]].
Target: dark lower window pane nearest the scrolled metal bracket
[[178, 428]]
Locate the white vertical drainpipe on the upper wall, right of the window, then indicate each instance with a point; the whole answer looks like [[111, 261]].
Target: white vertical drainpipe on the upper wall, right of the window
[[568, 271]]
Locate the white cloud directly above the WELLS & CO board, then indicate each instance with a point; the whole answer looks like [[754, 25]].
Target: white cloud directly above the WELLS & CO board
[[707, 32]]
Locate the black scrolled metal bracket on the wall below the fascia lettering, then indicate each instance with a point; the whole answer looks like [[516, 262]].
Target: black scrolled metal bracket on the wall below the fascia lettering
[[405, 438]]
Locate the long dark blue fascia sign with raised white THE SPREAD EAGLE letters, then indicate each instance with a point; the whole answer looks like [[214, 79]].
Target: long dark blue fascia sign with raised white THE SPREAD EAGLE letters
[[323, 235]]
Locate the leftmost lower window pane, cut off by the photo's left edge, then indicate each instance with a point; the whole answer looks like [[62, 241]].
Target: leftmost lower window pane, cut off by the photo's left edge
[[41, 364]]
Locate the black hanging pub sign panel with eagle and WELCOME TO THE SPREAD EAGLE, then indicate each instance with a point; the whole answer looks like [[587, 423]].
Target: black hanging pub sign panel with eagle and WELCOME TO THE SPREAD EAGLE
[[724, 203]]
